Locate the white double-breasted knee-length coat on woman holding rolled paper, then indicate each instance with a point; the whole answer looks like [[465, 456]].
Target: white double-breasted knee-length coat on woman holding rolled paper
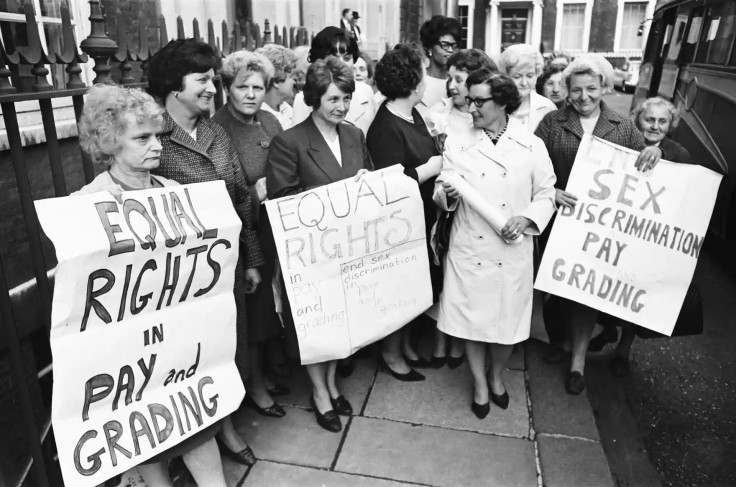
[[487, 293]]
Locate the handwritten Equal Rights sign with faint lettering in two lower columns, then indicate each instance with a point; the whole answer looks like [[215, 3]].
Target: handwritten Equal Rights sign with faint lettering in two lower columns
[[354, 260]]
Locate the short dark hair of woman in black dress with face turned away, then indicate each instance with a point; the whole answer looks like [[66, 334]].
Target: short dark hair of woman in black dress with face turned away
[[399, 72]]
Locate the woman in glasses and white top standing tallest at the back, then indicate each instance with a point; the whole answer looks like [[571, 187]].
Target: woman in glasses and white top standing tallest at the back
[[440, 37]]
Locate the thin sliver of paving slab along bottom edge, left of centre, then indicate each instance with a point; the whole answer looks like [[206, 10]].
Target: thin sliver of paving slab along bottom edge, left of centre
[[279, 475]]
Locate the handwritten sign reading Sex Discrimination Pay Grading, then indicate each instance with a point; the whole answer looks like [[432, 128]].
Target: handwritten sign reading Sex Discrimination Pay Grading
[[630, 246]]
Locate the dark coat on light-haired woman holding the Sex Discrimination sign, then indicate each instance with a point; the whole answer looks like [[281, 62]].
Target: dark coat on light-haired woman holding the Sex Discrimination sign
[[561, 132]]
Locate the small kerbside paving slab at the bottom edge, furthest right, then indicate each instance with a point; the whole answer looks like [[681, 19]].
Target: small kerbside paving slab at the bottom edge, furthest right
[[568, 462]]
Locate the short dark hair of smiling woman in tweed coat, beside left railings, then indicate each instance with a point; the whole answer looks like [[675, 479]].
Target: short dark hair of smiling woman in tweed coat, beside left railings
[[175, 60]]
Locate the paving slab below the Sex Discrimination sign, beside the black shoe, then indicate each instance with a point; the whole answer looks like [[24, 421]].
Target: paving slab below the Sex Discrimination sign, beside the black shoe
[[555, 411]]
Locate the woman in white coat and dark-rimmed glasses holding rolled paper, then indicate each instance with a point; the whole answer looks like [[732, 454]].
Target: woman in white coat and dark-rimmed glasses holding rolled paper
[[487, 294]]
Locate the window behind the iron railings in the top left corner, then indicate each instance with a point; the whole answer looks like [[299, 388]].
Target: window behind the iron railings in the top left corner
[[14, 33]]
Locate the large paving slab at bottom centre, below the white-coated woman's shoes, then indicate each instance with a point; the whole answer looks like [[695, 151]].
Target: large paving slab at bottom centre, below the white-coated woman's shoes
[[435, 456]]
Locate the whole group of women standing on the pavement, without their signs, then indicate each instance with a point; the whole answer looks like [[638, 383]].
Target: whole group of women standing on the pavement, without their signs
[[447, 115]]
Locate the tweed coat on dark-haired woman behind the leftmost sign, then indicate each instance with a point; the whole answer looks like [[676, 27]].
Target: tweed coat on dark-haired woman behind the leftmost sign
[[209, 158]]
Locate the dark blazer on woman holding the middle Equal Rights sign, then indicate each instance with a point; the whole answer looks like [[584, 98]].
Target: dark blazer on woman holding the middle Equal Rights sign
[[299, 158]]
